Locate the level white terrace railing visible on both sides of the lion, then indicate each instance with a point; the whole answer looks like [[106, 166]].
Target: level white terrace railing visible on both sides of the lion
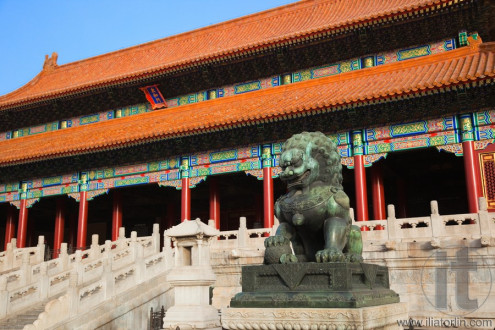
[[479, 226]]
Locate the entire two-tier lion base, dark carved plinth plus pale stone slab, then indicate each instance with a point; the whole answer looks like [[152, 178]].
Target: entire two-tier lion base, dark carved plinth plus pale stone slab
[[315, 296]]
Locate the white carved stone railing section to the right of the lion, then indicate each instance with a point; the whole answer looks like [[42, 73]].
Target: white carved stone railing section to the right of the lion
[[479, 225]]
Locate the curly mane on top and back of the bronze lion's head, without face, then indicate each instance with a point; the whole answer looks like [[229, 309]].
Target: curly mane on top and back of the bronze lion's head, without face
[[322, 150]]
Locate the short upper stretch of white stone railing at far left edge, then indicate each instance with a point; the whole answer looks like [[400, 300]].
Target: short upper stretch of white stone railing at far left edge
[[12, 257]]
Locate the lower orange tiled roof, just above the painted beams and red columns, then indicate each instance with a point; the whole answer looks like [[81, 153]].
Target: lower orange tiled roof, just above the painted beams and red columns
[[432, 72]]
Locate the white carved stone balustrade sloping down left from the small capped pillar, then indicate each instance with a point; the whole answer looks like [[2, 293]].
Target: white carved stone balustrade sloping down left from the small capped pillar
[[109, 271]]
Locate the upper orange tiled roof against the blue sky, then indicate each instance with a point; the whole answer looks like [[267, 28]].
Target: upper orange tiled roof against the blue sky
[[284, 24]]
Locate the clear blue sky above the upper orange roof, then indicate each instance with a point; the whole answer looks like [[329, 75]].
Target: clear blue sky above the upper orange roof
[[78, 29]]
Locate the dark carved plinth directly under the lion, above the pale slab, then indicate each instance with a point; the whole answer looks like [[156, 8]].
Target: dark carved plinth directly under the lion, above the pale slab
[[314, 285]]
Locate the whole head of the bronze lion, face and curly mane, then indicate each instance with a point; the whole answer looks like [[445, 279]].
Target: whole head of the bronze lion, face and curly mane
[[310, 157]]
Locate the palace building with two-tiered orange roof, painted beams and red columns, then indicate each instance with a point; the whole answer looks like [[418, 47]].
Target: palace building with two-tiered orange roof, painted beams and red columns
[[192, 125]]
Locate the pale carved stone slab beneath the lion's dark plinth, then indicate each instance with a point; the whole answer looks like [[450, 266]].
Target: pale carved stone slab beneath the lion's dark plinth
[[375, 317]]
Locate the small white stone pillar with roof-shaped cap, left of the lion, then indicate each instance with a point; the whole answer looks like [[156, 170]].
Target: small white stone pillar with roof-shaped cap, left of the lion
[[191, 278]]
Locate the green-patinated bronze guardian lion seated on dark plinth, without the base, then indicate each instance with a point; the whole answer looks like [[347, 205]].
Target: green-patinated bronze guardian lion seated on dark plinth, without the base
[[314, 213]]
